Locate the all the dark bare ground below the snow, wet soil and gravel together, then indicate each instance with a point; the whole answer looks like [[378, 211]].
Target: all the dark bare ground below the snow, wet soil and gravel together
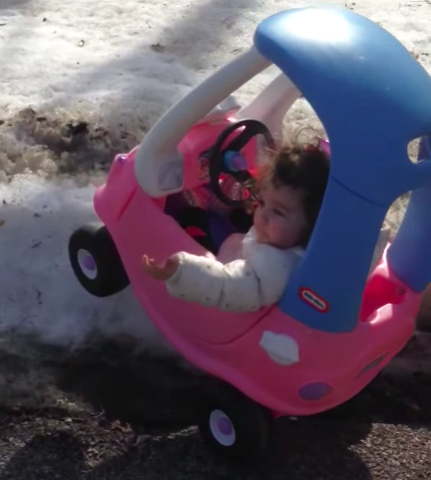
[[101, 415]]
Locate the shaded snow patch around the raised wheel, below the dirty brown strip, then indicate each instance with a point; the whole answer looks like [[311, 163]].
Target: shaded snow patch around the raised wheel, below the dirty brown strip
[[39, 294]]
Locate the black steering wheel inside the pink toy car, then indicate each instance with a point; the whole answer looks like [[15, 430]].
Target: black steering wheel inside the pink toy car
[[217, 154]]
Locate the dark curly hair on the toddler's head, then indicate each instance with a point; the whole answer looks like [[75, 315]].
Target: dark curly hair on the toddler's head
[[305, 168]]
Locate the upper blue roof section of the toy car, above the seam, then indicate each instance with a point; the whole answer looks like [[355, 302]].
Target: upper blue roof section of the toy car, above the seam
[[371, 95]]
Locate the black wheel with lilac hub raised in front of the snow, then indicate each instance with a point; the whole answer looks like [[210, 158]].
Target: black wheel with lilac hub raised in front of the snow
[[96, 261]]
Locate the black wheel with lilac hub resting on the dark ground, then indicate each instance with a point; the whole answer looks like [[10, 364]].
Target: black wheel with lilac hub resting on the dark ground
[[235, 427]]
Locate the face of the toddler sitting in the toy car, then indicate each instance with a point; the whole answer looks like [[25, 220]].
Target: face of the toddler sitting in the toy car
[[280, 219]]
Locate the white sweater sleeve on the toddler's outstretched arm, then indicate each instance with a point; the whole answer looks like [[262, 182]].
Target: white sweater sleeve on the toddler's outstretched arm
[[238, 286]]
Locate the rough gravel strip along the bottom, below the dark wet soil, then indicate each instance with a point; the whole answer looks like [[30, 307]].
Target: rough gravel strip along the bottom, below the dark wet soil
[[42, 446]]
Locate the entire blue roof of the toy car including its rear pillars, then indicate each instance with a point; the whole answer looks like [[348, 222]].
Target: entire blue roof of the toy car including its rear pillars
[[373, 98]]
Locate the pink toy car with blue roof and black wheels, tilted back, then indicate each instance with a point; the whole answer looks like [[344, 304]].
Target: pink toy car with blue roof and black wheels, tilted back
[[336, 326]]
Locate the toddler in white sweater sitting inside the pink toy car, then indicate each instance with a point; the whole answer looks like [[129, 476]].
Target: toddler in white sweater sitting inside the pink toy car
[[251, 270]]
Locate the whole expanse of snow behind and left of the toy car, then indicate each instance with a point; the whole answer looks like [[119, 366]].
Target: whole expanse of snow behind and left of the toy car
[[117, 66]]
